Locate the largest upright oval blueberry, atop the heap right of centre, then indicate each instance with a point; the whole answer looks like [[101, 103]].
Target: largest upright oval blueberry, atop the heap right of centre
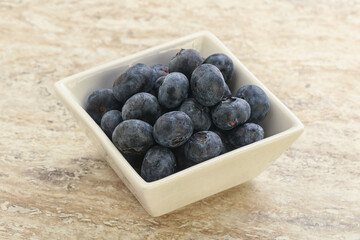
[[207, 85]]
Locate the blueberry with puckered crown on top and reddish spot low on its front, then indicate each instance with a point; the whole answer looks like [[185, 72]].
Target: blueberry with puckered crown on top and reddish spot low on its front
[[230, 112]]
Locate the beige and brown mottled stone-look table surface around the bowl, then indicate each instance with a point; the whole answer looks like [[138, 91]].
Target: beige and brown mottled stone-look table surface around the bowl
[[54, 185]]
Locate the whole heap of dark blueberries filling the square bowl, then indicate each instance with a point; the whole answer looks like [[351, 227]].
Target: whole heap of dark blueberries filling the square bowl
[[167, 118]]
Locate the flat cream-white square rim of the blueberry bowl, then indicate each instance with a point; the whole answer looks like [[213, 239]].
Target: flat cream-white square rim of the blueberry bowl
[[63, 91]]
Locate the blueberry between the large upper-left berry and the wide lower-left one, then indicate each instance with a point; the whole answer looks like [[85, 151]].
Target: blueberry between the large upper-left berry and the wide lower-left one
[[142, 106]]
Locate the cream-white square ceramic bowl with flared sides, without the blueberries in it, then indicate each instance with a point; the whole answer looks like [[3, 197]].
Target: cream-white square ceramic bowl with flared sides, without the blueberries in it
[[281, 128]]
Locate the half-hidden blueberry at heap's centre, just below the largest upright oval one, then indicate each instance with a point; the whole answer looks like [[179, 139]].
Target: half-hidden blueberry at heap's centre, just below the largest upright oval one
[[198, 113]]
